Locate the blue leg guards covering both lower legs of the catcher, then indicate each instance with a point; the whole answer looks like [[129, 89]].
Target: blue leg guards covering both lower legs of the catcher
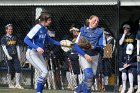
[[86, 84]]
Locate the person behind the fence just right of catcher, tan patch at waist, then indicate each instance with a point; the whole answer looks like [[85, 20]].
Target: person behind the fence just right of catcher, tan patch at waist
[[108, 64]]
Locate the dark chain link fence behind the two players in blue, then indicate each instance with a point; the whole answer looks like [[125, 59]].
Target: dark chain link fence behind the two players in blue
[[61, 75]]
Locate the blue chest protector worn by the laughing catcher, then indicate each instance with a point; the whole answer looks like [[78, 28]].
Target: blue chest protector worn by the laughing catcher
[[92, 35]]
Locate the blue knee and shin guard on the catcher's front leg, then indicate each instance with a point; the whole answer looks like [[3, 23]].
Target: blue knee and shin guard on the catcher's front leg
[[88, 77]]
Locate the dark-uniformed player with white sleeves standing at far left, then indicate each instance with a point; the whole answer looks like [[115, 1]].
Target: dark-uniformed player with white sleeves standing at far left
[[11, 49]]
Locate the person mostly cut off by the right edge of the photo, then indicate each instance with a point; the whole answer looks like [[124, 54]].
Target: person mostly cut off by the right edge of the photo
[[138, 60]]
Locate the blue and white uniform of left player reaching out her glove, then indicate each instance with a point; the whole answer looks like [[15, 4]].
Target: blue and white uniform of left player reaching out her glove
[[35, 39]]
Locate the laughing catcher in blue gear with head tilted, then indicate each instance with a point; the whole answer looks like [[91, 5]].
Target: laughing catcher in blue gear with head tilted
[[89, 59]]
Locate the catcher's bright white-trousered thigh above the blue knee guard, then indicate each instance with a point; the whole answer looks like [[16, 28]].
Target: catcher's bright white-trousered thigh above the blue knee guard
[[84, 63]]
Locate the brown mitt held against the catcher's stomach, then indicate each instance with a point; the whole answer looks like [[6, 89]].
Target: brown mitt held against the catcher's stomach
[[84, 43]]
